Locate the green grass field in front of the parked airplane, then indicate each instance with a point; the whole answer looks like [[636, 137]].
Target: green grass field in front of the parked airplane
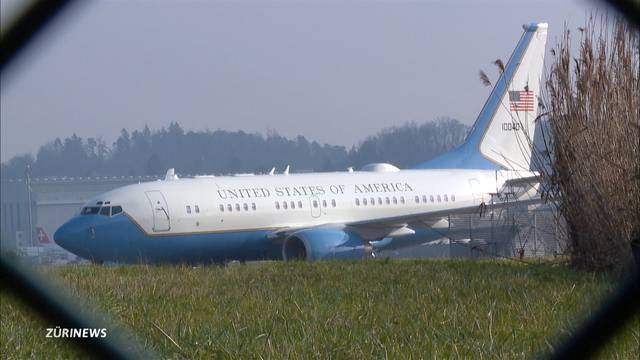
[[369, 309]]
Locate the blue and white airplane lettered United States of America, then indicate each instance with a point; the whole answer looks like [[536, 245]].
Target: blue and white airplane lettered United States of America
[[332, 215]]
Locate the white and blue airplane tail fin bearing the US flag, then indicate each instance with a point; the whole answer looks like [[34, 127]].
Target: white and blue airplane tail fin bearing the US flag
[[502, 136]]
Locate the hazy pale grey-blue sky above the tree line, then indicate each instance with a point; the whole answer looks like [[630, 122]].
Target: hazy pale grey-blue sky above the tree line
[[333, 71]]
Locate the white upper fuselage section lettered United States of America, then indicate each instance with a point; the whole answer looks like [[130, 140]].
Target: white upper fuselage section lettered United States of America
[[241, 203]]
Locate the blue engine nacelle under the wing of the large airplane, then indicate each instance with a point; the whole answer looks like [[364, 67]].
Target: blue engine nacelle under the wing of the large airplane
[[323, 244]]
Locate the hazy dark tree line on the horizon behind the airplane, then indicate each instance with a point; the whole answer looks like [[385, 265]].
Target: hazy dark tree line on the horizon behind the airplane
[[147, 152]]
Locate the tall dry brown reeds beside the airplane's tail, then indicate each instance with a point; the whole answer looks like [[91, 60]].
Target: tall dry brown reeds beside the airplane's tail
[[593, 103]]
